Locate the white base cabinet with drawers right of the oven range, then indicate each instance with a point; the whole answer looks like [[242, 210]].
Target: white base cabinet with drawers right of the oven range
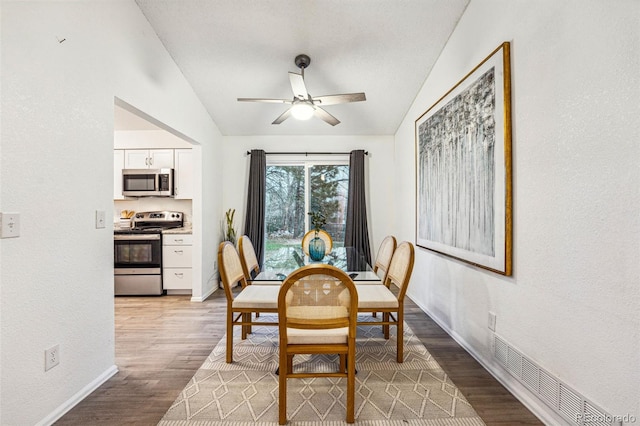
[[177, 261]]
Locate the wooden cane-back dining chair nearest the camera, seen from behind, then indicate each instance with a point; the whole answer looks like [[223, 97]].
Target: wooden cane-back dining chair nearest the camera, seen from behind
[[317, 310]]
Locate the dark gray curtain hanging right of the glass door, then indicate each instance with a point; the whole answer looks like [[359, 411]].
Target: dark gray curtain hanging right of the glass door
[[356, 232]]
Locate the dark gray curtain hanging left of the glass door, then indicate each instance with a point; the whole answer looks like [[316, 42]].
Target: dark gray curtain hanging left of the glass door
[[254, 218]]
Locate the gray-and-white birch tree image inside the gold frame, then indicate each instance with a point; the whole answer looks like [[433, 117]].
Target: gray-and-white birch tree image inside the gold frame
[[457, 170]]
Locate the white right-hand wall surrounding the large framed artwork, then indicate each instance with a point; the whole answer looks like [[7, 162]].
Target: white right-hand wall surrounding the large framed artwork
[[572, 302]]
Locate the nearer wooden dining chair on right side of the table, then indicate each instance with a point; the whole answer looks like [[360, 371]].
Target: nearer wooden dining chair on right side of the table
[[380, 298]]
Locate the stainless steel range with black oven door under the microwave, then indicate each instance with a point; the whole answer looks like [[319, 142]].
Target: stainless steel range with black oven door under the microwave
[[137, 253]]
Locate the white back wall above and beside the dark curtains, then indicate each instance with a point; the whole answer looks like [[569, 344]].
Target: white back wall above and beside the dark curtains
[[379, 165]]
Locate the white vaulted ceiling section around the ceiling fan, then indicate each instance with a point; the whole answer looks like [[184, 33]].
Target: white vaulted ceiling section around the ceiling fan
[[244, 48]]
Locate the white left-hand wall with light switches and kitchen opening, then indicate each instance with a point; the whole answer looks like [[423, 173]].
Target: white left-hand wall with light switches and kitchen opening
[[63, 63]]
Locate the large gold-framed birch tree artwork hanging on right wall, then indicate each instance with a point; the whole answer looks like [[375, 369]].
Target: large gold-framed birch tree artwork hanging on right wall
[[463, 168]]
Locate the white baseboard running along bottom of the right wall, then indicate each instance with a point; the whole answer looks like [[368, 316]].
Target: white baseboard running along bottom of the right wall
[[544, 413]]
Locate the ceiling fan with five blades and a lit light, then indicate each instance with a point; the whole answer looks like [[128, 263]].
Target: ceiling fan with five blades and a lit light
[[303, 105]]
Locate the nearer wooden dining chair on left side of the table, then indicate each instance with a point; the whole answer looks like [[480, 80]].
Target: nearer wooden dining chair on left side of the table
[[251, 298]]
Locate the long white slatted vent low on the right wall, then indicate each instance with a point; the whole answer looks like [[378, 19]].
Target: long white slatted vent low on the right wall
[[572, 406]]
